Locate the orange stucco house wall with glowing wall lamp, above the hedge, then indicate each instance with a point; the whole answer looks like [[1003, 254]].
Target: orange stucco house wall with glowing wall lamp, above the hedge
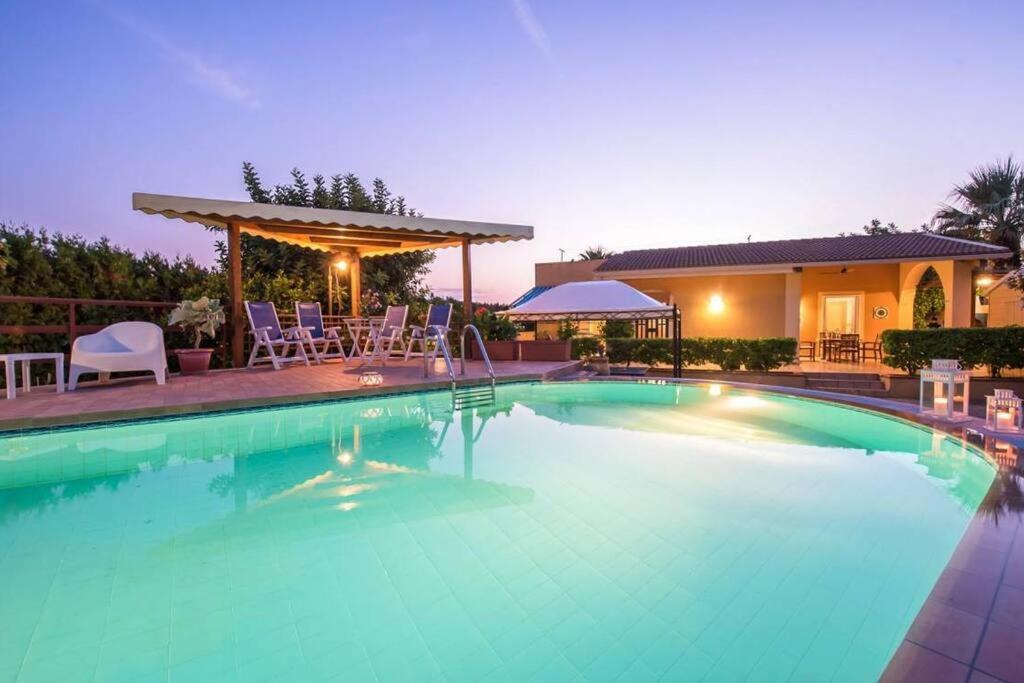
[[754, 306]]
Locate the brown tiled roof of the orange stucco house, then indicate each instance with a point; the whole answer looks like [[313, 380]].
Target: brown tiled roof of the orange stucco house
[[814, 250]]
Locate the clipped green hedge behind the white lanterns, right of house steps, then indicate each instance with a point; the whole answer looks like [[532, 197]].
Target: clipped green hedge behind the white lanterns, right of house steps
[[997, 348]]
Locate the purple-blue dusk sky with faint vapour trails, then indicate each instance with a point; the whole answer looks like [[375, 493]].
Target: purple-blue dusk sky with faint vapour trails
[[629, 125]]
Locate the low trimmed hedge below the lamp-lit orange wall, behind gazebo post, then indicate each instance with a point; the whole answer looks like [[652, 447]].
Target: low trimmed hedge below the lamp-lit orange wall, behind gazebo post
[[729, 354]]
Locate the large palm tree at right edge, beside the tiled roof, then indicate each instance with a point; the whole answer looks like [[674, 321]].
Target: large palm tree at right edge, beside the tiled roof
[[989, 207]]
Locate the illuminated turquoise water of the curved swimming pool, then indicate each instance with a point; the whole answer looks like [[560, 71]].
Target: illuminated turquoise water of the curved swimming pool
[[593, 532]]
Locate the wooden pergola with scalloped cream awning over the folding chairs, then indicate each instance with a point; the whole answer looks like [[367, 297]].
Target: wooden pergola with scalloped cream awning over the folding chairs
[[348, 235]]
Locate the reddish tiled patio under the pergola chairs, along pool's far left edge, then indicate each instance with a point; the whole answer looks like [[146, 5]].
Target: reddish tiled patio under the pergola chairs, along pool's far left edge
[[242, 389]]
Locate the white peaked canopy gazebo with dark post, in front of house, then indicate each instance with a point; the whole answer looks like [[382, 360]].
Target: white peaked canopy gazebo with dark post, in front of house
[[600, 301]]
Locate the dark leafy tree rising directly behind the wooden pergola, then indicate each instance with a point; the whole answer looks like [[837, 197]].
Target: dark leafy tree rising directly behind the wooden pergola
[[282, 273]]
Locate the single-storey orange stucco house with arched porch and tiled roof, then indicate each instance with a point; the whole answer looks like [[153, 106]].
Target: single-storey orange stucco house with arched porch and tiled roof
[[795, 288]]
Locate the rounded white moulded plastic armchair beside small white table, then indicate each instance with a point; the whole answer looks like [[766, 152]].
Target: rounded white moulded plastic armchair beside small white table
[[119, 349]]
